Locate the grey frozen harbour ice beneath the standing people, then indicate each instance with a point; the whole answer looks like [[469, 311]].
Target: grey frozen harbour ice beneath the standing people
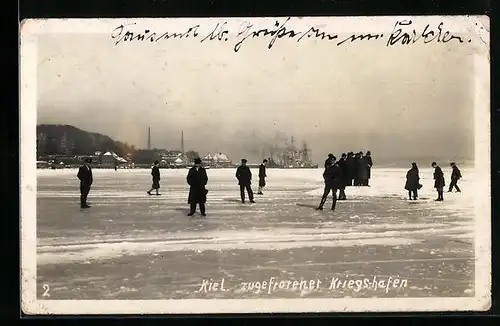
[[132, 246]]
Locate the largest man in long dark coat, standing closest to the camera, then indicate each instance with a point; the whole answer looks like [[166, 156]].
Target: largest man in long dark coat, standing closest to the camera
[[197, 180]]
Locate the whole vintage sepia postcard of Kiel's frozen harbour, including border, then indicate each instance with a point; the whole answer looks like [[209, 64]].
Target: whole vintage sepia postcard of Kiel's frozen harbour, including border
[[245, 165]]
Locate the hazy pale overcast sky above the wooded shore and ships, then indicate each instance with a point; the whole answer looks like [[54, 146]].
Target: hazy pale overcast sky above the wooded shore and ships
[[415, 101]]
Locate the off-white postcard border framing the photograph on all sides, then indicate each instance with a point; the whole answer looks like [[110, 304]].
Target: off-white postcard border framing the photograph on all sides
[[28, 119]]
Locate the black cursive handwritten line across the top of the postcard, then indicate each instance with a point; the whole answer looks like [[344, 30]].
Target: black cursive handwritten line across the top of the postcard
[[403, 33]]
